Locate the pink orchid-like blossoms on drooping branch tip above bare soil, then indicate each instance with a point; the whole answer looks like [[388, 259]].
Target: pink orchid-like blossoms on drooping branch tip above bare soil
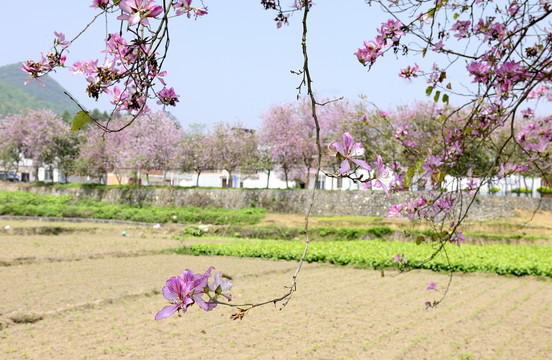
[[190, 288]]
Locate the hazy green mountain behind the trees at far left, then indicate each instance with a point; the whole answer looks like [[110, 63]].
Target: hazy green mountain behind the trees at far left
[[14, 96]]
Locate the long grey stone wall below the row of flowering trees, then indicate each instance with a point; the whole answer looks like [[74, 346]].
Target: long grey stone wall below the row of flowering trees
[[336, 203]]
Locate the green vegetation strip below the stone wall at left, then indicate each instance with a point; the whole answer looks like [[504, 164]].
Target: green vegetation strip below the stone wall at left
[[31, 204]]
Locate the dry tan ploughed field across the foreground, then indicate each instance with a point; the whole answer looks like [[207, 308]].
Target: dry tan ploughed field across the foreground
[[85, 291]]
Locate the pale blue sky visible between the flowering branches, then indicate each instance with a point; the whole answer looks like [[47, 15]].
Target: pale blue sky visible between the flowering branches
[[232, 64]]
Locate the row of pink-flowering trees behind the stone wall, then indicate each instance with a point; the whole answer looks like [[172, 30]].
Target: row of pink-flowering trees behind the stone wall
[[285, 143]]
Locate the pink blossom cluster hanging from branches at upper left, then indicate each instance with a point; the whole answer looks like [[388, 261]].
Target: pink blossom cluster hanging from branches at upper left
[[131, 69]]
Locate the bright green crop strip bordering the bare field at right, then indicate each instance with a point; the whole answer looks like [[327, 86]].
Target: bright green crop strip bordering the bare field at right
[[499, 259]]
